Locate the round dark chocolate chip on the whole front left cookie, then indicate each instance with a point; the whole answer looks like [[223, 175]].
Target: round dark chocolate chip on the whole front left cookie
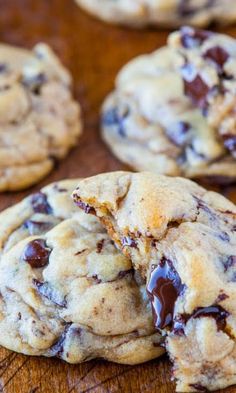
[[36, 253]]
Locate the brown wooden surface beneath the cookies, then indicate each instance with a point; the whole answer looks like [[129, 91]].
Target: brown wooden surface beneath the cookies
[[94, 52]]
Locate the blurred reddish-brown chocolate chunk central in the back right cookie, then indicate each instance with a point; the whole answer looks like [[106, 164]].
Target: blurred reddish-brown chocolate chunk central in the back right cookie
[[194, 86]]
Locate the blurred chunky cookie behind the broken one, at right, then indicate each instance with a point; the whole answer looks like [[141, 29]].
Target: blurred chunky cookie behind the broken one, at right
[[173, 111]]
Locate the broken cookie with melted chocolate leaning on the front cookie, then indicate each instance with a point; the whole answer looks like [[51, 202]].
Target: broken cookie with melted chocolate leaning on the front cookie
[[182, 240]]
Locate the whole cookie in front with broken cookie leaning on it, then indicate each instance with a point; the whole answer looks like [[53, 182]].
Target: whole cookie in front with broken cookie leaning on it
[[66, 290]]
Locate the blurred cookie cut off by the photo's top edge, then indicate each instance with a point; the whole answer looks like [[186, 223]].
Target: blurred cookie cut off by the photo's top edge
[[162, 13]]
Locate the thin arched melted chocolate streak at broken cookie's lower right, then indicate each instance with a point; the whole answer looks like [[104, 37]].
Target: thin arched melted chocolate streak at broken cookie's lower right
[[217, 312]]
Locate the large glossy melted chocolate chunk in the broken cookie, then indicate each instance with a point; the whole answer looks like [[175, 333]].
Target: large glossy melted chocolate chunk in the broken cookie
[[163, 289]]
